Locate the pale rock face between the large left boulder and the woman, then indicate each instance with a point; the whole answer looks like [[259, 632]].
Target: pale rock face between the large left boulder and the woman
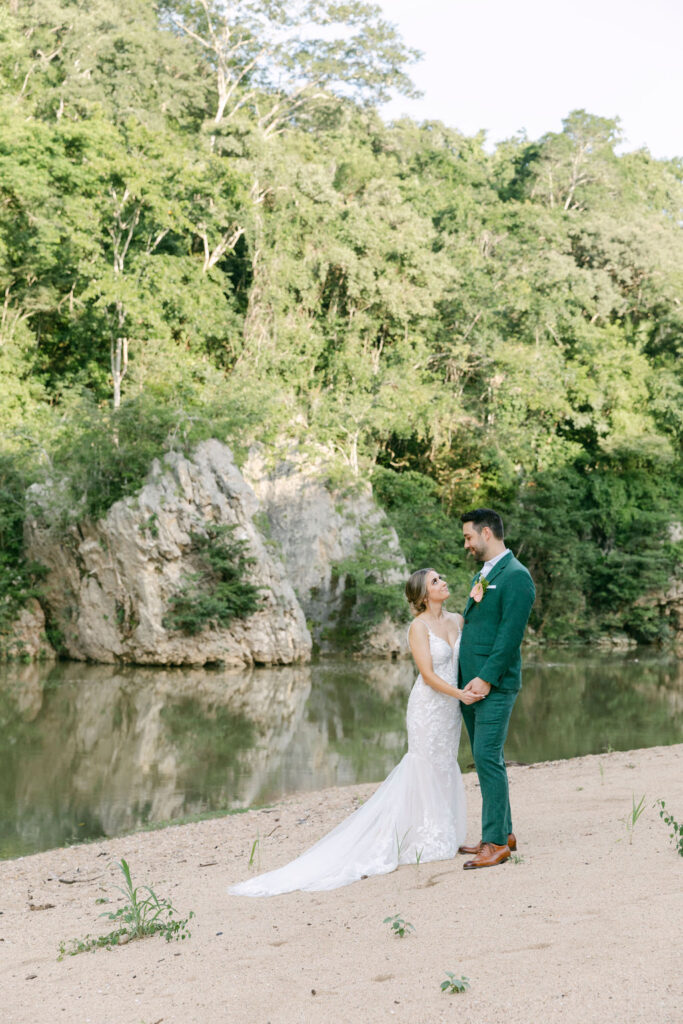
[[315, 529]]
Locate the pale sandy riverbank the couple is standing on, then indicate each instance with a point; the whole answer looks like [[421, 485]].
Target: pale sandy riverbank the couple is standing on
[[585, 927]]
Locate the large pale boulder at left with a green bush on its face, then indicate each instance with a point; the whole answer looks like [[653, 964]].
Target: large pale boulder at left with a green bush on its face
[[110, 582]]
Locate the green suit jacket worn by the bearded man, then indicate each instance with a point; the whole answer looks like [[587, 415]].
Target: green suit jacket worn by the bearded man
[[494, 628]]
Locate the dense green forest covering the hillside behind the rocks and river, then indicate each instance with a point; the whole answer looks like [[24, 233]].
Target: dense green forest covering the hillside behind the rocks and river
[[206, 228]]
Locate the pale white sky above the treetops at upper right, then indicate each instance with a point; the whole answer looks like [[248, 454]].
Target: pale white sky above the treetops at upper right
[[506, 67]]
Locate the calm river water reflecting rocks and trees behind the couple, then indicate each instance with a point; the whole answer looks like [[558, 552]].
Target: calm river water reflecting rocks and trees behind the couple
[[95, 751]]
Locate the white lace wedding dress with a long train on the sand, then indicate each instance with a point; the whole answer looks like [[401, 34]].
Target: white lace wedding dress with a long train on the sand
[[417, 815]]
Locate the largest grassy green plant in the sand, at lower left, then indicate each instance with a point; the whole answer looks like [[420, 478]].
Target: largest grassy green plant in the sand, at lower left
[[140, 917]]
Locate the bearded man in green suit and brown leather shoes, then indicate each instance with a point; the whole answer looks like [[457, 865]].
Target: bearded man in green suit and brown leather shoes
[[496, 616]]
